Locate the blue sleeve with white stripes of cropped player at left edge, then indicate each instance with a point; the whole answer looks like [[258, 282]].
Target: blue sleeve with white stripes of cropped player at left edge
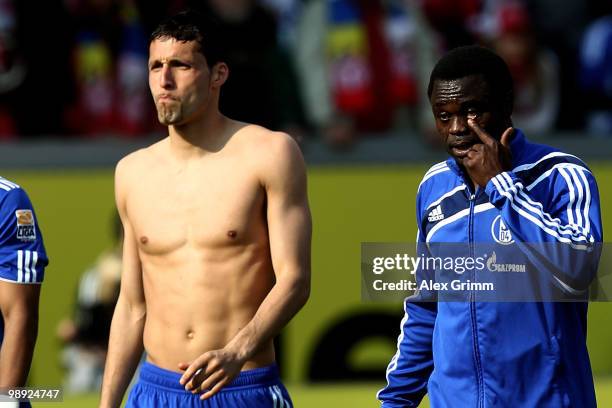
[[22, 253]]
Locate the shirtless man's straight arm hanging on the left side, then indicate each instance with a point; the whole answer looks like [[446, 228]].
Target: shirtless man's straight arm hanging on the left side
[[125, 343]]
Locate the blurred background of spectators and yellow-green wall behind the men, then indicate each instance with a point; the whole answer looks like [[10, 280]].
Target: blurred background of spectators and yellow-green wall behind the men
[[347, 79]]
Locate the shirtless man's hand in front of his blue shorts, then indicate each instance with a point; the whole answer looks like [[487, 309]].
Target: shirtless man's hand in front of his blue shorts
[[210, 372]]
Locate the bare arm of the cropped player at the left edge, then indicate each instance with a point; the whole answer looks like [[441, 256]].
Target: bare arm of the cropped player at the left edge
[[19, 306]]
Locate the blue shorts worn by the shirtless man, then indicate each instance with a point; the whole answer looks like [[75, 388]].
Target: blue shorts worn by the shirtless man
[[257, 388]]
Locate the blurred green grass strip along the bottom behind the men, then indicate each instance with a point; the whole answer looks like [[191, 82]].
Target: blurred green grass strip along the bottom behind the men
[[332, 395]]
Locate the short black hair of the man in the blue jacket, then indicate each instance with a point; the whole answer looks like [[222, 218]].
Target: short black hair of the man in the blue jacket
[[476, 60]]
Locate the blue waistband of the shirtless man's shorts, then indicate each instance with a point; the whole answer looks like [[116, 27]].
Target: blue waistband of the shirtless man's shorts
[[157, 376]]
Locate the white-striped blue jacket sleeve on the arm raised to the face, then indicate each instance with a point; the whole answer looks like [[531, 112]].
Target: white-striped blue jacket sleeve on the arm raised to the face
[[563, 229]]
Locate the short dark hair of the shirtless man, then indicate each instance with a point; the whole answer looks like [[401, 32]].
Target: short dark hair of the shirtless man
[[190, 25]]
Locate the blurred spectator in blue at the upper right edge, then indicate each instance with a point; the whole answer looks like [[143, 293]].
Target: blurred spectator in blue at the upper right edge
[[596, 75]]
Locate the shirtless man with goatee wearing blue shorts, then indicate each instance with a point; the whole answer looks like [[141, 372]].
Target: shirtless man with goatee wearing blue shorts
[[216, 258]]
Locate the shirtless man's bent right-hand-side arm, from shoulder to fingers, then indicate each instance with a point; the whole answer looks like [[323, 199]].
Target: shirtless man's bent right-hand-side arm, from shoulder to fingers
[[289, 229]]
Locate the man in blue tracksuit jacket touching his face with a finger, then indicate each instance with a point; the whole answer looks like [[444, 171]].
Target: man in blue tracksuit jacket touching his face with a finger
[[496, 354]]
